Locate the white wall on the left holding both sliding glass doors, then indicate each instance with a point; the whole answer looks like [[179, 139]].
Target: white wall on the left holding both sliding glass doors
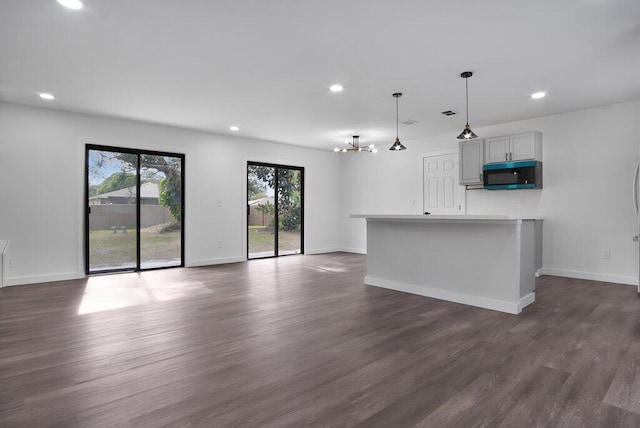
[[42, 170]]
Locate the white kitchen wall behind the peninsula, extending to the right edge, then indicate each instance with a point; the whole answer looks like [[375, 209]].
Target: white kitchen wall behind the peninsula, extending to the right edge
[[589, 160]]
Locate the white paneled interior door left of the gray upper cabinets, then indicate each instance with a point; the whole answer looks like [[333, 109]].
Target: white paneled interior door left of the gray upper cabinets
[[442, 193]]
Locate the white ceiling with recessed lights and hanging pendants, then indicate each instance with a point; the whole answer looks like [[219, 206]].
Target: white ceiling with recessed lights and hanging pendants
[[266, 65]]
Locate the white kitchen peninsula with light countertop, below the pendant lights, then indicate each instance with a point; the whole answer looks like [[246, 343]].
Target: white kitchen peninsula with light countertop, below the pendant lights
[[480, 260]]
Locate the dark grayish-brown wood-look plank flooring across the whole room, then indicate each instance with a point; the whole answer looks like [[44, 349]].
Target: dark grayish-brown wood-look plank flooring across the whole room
[[300, 341]]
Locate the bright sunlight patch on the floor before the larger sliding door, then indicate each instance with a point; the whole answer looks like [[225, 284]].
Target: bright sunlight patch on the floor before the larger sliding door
[[108, 292]]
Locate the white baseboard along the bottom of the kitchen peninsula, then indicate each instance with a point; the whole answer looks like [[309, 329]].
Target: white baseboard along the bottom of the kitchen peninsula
[[452, 296]]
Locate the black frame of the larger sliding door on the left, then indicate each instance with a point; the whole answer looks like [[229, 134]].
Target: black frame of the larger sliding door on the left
[[87, 208]]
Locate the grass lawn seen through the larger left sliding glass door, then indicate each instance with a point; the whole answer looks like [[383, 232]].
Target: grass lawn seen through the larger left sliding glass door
[[108, 249]]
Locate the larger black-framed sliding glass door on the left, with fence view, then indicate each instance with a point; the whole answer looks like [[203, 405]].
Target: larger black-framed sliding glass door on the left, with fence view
[[134, 209]]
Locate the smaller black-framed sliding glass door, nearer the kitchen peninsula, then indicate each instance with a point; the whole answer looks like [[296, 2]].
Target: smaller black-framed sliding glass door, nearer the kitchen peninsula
[[275, 210]]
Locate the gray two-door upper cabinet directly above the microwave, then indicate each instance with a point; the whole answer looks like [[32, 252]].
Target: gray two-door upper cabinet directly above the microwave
[[523, 146]]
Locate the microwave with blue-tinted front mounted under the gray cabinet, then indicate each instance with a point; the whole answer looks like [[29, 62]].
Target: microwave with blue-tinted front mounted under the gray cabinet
[[513, 175]]
